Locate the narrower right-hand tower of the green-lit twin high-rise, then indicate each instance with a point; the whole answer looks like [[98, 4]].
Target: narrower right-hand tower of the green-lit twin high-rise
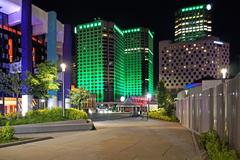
[[138, 61]]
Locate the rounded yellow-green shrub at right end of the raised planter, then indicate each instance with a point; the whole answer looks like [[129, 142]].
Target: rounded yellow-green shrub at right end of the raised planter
[[74, 114]]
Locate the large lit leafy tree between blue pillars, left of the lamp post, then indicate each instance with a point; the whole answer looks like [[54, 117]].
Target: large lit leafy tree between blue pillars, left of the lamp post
[[43, 81]]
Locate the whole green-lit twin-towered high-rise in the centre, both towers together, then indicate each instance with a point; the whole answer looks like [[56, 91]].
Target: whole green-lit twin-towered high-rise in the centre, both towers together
[[111, 63]]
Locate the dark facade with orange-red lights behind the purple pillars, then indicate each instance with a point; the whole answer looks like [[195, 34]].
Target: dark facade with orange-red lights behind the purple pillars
[[10, 46]]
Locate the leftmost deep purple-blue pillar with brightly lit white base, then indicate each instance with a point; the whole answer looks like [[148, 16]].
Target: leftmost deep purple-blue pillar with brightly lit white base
[[26, 44]]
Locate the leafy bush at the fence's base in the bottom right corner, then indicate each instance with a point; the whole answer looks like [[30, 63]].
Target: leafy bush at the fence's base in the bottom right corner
[[216, 149]]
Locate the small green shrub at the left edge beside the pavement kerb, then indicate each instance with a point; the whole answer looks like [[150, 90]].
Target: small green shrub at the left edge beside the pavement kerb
[[6, 133]]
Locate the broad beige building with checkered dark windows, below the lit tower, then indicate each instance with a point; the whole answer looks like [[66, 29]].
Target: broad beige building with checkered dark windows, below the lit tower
[[185, 62]]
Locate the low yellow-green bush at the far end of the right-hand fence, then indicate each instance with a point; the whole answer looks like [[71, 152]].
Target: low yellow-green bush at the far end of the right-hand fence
[[162, 115]]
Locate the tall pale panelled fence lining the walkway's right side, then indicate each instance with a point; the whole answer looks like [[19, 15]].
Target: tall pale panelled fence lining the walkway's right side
[[216, 108]]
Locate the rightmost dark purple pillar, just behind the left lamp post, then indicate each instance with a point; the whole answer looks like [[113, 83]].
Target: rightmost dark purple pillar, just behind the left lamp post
[[67, 59]]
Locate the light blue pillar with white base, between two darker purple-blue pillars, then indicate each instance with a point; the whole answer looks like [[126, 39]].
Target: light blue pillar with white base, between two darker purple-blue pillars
[[52, 51]]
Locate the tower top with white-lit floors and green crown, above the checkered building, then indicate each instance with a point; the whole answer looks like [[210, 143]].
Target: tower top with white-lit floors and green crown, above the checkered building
[[192, 23]]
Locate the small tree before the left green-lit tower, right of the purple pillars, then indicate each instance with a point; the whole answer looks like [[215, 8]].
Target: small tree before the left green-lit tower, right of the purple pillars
[[77, 96]]
